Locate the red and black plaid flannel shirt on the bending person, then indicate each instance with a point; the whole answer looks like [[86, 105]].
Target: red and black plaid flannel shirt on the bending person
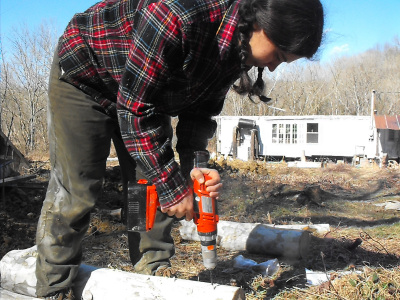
[[153, 59]]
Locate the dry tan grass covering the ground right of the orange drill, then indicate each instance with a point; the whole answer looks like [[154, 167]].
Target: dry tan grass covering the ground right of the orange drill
[[262, 192]]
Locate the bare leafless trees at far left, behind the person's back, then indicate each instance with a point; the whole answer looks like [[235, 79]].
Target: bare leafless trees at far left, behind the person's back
[[26, 70]]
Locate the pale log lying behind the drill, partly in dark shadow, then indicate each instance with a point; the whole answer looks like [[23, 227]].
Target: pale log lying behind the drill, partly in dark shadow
[[281, 240]]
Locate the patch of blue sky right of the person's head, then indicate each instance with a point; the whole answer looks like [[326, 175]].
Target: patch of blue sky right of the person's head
[[354, 26]]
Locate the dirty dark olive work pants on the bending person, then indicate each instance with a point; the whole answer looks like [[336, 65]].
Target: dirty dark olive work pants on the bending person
[[80, 134]]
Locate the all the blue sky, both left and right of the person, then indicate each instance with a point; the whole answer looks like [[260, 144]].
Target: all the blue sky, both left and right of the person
[[352, 26]]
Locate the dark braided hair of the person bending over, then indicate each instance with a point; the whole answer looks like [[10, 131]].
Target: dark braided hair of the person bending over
[[294, 26]]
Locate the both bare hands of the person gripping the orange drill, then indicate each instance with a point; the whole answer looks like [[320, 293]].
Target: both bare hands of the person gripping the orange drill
[[185, 207]]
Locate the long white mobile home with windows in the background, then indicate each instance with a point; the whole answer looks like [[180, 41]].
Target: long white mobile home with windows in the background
[[316, 137]]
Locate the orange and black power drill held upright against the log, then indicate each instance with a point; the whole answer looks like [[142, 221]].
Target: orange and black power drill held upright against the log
[[143, 202]]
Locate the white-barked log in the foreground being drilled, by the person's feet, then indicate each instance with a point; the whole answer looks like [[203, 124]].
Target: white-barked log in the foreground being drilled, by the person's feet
[[18, 276]]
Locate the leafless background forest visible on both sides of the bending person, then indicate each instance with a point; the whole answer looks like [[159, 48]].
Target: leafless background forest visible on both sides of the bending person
[[340, 87]]
